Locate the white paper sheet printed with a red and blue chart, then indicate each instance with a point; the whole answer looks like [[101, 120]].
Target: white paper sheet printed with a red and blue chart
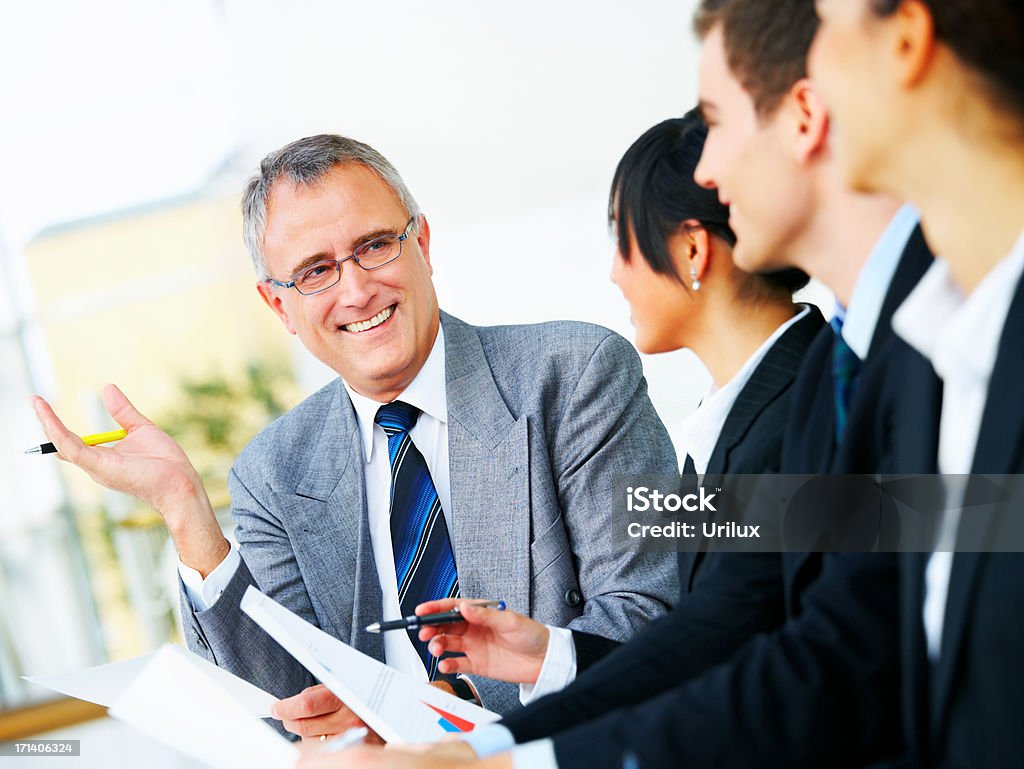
[[396, 706]]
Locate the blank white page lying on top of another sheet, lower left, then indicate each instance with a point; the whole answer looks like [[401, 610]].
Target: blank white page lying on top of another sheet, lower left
[[179, 704]]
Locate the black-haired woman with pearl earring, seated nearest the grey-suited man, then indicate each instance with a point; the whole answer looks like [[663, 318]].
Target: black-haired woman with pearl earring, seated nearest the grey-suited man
[[674, 266]]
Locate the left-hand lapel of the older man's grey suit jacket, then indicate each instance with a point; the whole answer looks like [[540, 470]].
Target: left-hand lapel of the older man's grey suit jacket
[[325, 512]]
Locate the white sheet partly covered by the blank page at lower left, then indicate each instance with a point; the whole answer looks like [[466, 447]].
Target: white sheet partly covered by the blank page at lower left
[[106, 683]]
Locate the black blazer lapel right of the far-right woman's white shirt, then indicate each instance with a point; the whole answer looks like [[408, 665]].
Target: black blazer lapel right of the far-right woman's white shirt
[[999, 451]]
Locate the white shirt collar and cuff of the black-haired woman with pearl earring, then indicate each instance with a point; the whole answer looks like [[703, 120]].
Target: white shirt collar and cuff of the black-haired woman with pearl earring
[[699, 436]]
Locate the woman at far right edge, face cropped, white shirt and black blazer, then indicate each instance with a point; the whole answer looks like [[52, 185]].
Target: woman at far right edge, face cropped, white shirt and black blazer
[[928, 99]]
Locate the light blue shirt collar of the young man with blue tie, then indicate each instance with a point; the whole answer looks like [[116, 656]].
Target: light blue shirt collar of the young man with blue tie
[[862, 318]]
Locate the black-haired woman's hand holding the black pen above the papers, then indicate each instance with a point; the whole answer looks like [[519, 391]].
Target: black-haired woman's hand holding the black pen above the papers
[[501, 645]]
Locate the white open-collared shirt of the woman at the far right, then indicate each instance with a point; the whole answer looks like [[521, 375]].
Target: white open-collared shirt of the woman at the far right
[[960, 335]]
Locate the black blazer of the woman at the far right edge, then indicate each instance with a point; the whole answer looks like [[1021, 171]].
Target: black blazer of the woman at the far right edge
[[968, 710]]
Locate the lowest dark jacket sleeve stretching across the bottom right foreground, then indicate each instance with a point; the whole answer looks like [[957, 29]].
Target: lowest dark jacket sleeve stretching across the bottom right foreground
[[821, 692]]
